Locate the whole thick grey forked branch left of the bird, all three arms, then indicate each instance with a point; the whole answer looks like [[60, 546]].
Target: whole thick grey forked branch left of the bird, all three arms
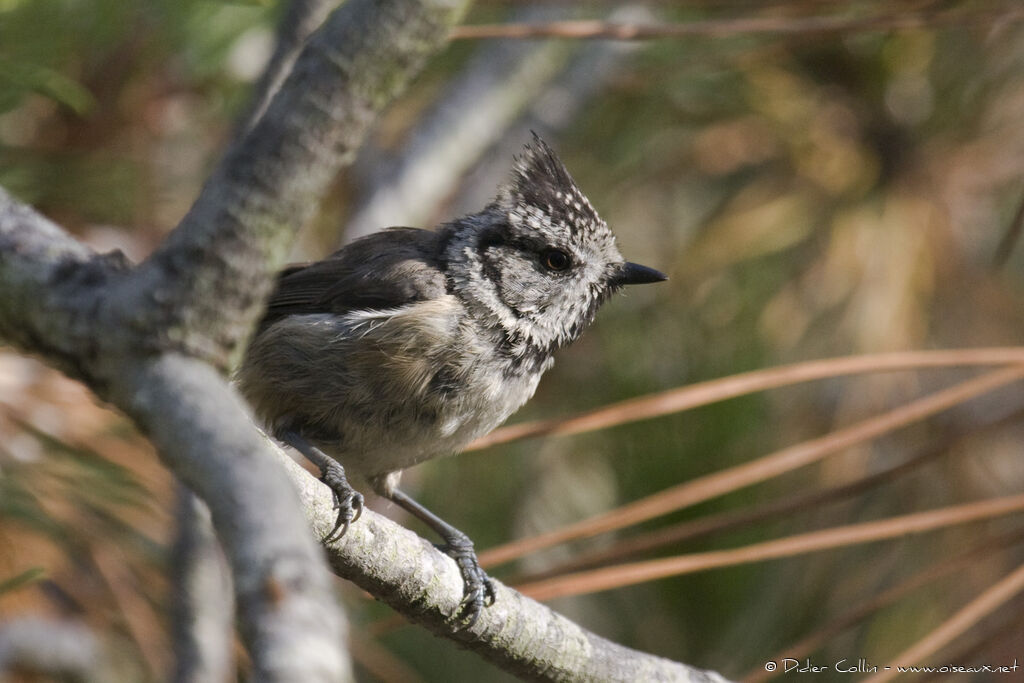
[[155, 339]]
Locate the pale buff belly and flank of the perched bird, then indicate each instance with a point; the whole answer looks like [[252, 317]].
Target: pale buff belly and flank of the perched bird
[[394, 389]]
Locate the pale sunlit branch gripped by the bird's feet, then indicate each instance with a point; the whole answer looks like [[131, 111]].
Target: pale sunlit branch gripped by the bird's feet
[[518, 634]]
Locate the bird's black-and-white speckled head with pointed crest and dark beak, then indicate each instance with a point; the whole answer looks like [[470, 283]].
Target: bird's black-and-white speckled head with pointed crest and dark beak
[[539, 259]]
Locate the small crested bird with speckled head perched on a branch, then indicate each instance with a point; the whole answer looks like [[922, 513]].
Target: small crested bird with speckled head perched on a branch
[[408, 345]]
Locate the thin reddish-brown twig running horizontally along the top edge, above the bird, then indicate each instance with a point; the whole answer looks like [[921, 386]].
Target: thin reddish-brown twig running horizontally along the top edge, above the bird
[[594, 29]]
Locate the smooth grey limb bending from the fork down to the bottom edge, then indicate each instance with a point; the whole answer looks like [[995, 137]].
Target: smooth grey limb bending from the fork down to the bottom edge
[[287, 614]]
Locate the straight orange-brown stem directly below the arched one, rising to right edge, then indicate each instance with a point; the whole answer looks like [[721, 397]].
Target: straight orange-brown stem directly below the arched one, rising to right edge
[[718, 484]]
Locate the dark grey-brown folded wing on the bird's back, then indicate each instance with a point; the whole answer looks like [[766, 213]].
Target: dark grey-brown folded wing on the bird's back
[[382, 271]]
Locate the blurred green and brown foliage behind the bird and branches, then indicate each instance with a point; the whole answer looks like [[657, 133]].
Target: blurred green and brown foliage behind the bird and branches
[[810, 195]]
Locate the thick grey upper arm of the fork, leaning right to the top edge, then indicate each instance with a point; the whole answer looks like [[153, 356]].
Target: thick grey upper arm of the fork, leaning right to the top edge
[[205, 286]]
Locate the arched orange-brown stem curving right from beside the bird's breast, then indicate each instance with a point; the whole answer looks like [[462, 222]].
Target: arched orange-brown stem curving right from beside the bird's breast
[[703, 394]]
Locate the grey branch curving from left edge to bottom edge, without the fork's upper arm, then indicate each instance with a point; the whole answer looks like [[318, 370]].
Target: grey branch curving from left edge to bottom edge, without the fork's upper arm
[[53, 289]]
